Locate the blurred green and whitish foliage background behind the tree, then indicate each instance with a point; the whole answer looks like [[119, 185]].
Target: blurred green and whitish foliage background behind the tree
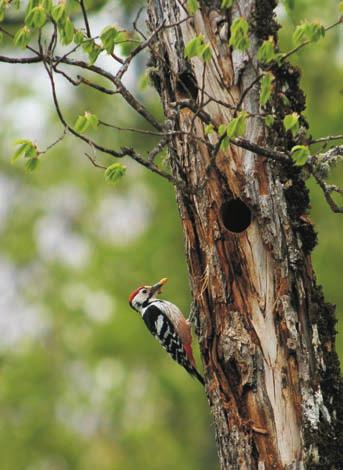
[[82, 385]]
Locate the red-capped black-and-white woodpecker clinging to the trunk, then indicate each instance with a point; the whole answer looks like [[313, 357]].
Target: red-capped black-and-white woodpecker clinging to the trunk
[[166, 323]]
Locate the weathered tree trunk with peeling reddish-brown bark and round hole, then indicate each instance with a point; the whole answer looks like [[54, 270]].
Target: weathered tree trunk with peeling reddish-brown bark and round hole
[[266, 335]]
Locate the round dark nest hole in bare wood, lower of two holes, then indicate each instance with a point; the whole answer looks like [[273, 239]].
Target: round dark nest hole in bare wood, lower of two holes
[[236, 215]]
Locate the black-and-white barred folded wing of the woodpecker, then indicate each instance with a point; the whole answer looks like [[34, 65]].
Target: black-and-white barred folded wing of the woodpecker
[[163, 330]]
